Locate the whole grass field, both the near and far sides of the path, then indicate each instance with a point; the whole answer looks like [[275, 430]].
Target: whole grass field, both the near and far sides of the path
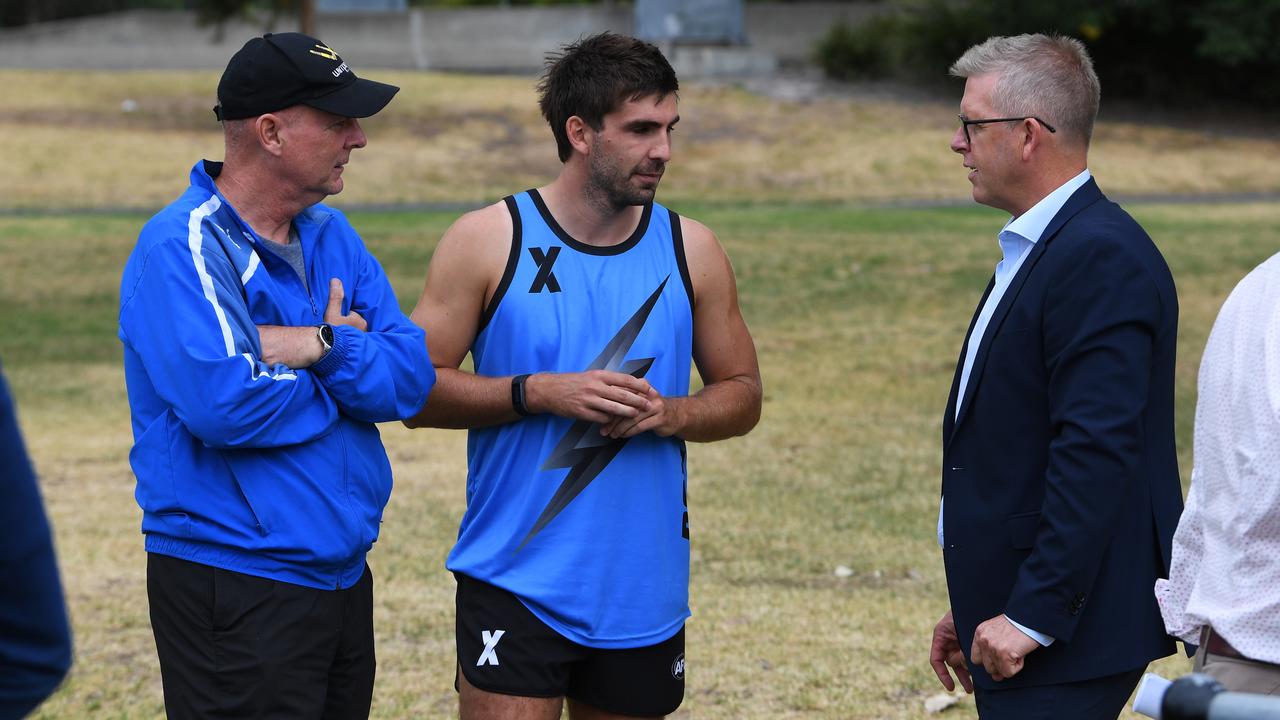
[[858, 316]]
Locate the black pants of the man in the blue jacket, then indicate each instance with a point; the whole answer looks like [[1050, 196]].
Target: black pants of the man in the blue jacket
[[240, 646]]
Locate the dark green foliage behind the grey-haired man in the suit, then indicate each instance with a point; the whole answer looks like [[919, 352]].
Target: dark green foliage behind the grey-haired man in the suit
[[1144, 49]]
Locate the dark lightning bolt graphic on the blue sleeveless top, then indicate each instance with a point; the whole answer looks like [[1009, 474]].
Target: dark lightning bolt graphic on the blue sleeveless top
[[583, 449]]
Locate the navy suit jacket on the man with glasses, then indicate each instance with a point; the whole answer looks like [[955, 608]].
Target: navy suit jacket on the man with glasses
[[1060, 473]]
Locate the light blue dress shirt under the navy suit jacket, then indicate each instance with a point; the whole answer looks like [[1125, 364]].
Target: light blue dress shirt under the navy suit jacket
[[1017, 240]]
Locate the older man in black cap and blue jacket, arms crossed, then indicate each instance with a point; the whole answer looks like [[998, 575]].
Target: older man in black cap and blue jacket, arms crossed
[[262, 345]]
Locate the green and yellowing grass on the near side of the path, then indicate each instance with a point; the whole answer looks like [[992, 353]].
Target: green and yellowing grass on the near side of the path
[[858, 316]]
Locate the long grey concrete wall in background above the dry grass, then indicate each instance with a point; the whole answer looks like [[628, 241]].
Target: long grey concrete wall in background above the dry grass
[[472, 40]]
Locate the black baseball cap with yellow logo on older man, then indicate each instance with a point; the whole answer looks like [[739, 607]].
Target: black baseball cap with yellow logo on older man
[[284, 70]]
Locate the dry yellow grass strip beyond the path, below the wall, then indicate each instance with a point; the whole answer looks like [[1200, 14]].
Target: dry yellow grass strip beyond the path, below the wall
[[470, 139]]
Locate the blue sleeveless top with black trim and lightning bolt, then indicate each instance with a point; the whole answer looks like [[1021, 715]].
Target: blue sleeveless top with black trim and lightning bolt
[[591, 534]]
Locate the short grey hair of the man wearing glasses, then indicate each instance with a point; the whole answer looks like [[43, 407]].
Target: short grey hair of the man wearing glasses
[[1050, 78]]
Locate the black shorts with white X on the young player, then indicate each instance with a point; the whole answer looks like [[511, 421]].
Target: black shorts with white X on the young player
[[506, 649]]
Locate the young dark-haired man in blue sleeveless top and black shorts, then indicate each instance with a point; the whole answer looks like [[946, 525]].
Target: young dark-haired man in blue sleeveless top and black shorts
[[584, 304]]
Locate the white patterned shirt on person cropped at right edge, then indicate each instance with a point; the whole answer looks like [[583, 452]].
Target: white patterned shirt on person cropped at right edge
[[1226, 571]]
